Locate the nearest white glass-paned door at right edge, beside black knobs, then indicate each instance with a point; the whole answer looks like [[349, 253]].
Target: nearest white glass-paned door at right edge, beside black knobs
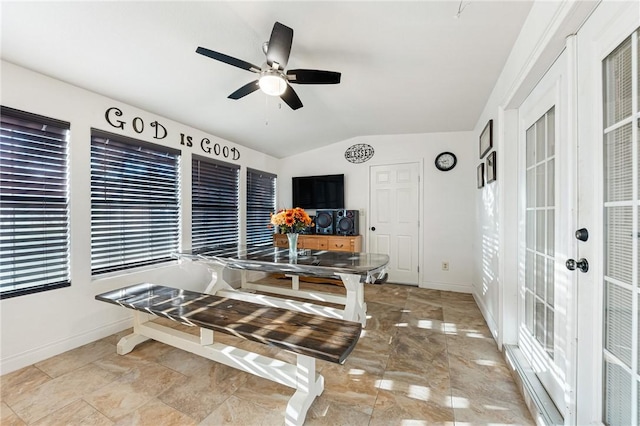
[[608, 160]]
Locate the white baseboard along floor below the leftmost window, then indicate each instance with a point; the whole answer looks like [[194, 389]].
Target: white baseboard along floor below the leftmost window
[[24, 359]]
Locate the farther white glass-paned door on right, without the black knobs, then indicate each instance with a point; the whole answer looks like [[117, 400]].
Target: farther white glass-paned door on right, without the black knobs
[[545, 214]]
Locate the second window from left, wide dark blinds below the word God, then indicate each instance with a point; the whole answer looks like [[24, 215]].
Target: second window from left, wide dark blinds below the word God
[[134, 203]]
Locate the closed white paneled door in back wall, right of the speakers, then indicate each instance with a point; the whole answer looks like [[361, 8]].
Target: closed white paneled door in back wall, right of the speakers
[[394, 218]]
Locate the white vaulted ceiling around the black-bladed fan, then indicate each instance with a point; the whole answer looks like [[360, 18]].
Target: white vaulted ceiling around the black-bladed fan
[[407, 67]]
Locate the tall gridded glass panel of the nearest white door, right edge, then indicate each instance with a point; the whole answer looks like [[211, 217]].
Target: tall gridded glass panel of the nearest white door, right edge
[[621, 232]]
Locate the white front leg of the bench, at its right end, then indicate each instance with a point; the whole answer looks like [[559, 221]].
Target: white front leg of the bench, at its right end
[[308, 387]]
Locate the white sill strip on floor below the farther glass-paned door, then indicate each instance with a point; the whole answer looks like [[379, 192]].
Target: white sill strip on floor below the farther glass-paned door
[[542, 408]]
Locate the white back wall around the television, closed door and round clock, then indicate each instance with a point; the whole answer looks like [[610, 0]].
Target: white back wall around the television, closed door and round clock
[[448, 198]]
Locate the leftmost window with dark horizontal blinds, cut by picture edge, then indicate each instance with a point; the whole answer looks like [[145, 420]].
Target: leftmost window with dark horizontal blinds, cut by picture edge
[[34, 221]]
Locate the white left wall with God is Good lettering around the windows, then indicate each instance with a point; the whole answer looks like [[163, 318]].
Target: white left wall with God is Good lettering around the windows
[[37, 326]]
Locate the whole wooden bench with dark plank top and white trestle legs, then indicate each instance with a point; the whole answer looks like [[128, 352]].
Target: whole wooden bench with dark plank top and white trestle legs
[[308, 336]]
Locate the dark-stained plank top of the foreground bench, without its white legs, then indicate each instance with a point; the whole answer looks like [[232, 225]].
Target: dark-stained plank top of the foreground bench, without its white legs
[[320, 337]]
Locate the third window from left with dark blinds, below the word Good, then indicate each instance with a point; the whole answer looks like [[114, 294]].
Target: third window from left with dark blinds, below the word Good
[[214, 217]]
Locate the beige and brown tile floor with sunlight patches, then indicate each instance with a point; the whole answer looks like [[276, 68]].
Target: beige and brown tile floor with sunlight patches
[[426, 357]]
